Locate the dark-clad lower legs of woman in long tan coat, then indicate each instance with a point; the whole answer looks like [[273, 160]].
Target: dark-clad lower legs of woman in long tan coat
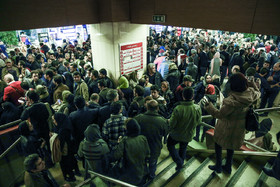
[[229, 159]]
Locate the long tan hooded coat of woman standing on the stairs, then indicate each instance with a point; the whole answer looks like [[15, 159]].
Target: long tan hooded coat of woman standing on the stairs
[[230, 127]]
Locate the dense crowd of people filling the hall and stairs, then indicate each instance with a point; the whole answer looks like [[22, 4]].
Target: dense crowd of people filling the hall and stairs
[[71, 111]]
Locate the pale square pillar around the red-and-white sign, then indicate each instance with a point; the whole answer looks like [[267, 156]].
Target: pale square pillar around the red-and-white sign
[[105, 40]]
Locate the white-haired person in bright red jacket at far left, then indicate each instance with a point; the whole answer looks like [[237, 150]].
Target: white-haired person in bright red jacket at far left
[[13, 91]]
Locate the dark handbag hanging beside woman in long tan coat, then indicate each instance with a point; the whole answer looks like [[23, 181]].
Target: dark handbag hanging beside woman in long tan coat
[[252, 120]]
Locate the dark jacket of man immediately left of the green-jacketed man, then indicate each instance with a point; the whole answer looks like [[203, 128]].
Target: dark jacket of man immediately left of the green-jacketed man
[[154, 127]]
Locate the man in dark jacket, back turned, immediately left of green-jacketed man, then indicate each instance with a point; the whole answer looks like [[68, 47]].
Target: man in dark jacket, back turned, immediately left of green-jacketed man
[[154, 127]]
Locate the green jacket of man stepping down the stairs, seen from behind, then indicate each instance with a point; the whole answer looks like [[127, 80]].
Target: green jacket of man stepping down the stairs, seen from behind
[[184, 119]]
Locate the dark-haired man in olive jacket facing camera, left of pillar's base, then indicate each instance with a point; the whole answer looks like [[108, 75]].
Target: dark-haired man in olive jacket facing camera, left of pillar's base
[[80, 87]]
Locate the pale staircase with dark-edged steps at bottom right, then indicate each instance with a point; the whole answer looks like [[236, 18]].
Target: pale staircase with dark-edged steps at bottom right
[[246, 170]]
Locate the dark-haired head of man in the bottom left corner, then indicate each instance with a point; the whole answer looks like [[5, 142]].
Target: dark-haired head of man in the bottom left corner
[[33, 163]]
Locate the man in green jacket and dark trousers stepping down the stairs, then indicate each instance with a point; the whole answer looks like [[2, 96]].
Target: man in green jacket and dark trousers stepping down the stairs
[[184, 119]]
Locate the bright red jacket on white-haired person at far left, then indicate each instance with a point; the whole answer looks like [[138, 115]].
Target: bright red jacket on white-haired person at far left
[[13, 92]]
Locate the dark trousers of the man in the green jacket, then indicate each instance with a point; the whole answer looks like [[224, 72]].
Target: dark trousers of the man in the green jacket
[[178, 158]]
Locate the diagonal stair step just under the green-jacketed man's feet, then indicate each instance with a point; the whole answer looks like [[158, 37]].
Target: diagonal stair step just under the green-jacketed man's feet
[[184, 174]]
